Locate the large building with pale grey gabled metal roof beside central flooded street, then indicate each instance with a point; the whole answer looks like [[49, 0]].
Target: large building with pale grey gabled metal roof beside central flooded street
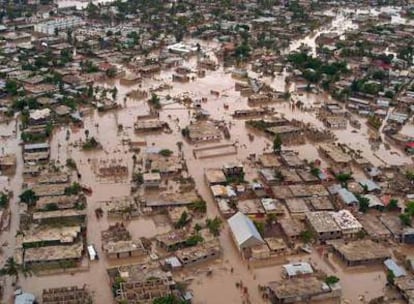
[[244, 231]]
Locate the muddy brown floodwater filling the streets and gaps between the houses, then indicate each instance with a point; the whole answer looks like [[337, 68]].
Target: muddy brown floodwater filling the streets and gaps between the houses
[[105, 127]]
